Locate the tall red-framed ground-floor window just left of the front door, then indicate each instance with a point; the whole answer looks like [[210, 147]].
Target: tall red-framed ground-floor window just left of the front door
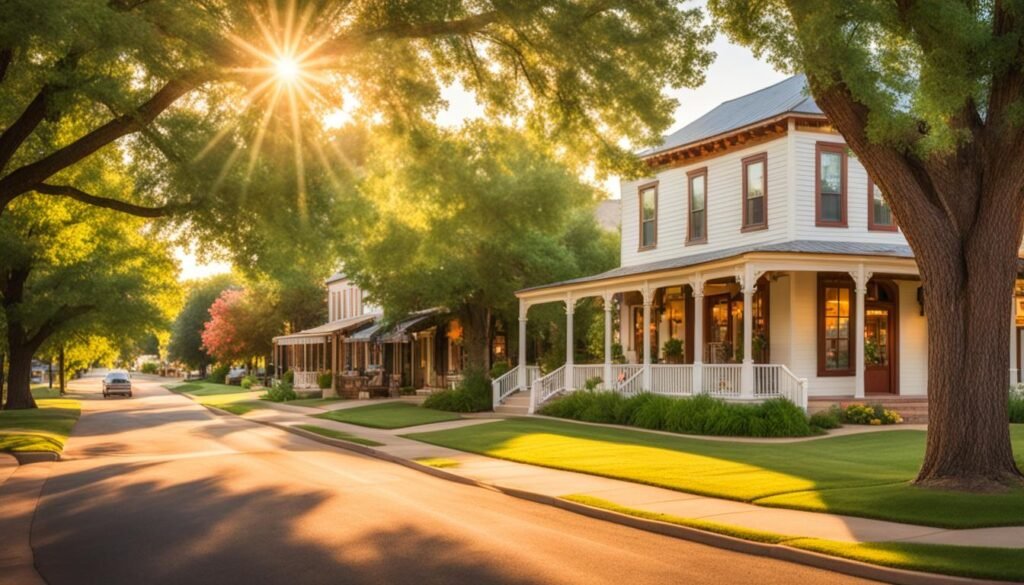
[[836, 326]]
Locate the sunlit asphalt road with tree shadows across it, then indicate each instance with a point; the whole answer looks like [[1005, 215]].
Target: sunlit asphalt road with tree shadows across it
[[157, 490]]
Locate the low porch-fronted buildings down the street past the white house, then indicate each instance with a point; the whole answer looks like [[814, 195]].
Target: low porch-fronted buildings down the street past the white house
[[367, 354]]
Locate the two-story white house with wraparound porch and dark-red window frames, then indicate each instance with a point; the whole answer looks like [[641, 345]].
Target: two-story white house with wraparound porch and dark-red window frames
[[761, 243]]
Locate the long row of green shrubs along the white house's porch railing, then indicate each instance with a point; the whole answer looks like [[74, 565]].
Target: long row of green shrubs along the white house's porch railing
[[698, 415]]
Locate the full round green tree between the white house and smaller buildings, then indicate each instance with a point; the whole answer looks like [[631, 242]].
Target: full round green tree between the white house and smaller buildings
[[466, 221]]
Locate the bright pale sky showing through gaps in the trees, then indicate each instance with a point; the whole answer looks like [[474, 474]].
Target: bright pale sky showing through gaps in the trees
[[736, 72]]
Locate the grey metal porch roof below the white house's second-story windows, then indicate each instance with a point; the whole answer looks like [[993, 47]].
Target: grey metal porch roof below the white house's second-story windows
[[796, 246]]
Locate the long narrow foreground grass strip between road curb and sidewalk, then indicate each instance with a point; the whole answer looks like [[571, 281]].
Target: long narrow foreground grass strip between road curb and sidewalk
[[980, 563]]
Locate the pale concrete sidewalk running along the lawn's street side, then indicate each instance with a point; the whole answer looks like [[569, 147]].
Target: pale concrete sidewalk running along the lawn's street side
[[556, 484]]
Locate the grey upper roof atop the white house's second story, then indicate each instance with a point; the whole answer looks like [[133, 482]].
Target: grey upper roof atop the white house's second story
[[788, 97]]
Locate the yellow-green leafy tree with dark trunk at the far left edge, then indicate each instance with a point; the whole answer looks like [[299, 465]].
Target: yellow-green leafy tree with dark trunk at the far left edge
[[69, 268]]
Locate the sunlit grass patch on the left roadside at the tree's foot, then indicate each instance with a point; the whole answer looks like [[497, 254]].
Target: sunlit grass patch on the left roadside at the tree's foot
[[46, 429]]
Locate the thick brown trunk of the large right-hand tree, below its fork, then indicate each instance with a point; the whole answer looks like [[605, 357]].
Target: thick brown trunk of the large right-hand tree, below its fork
[[968, 302]]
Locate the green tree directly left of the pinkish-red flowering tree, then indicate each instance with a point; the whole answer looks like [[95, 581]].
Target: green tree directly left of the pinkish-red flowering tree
[[187, 342]]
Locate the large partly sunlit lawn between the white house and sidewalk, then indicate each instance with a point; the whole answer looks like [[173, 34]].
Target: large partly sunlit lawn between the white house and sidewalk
[[863, 475]]
